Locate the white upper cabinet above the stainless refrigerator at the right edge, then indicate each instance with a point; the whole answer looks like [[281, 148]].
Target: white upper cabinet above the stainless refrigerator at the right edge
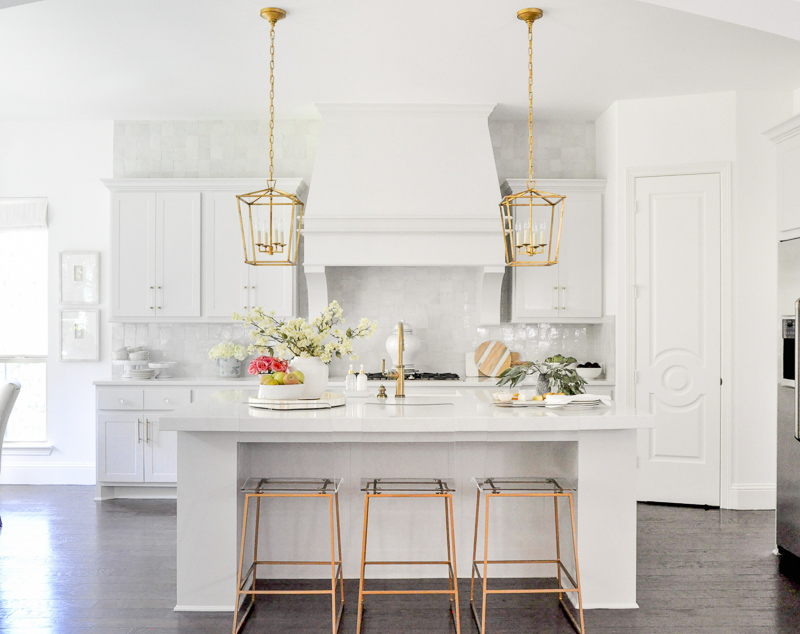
[[787, 139]]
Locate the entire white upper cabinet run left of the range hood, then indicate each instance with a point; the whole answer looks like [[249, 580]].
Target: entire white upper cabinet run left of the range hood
[[177, 252]]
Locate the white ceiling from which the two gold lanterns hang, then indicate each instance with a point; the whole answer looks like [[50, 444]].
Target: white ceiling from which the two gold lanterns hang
[[180, 59]]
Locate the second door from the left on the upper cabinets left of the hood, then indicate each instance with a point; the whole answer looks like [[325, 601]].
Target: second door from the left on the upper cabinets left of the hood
[[178, 254]]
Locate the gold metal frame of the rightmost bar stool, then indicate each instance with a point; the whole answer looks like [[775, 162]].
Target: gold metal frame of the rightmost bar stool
[[480, 621]]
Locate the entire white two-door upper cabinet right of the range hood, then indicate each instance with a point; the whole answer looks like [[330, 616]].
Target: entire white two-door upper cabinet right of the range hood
[[572, 290]]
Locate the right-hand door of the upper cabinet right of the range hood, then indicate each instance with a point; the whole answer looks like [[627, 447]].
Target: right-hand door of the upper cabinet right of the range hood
[[579, 274]]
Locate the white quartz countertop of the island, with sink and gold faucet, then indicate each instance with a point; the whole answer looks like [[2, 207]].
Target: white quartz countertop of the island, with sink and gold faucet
[[467, 410]]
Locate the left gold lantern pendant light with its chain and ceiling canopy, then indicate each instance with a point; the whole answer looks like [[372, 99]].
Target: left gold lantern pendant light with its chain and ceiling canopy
[[271, 219]]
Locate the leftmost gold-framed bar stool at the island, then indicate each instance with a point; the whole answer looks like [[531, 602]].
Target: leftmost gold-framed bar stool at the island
[[320, 488]]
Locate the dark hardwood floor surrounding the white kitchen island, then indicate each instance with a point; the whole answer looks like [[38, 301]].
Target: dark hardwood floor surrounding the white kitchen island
[[68, 564]]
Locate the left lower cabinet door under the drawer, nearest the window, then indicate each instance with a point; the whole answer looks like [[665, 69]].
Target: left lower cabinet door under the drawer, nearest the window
[[120, 446]]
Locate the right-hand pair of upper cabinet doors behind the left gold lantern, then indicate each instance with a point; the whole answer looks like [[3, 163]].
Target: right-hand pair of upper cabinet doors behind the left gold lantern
[[229, 284]]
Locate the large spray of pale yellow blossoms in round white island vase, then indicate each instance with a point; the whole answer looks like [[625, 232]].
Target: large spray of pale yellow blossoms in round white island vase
[[321, 338]]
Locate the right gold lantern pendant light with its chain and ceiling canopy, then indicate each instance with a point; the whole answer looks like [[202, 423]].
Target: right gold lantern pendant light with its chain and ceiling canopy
[[532, 219]]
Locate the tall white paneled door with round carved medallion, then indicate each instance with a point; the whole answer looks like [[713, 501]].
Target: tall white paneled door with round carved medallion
[[678, 325]]
